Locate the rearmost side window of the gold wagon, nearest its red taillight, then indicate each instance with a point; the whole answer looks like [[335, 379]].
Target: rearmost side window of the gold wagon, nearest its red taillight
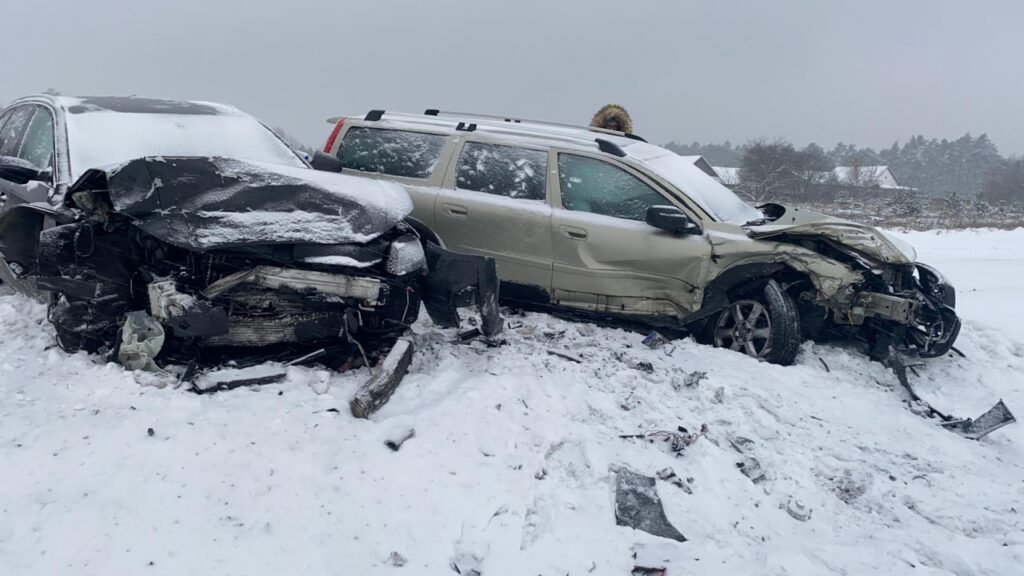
[[398, 153]]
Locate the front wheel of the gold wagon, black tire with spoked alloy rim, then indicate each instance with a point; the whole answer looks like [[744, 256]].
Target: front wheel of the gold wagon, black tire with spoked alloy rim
[[760, 322]]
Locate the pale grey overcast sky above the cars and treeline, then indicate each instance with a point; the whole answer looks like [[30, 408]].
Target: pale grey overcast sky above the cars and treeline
[[865, 72]]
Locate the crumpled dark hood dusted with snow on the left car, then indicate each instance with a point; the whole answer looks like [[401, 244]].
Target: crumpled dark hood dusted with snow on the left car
[[210, 203]]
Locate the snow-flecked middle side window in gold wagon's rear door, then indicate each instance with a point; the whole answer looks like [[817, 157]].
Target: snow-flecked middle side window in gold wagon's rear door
[[505, 171]]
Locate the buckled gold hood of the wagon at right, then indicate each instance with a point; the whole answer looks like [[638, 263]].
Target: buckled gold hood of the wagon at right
[[865, 239]]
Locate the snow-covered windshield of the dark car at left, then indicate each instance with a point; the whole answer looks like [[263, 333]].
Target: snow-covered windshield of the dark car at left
[[101, 135]]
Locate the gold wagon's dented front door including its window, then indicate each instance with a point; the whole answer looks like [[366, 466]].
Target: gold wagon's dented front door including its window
[[607, 258]]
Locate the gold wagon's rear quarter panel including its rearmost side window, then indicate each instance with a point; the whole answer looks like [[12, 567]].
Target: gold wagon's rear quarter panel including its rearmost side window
[[412, 158]]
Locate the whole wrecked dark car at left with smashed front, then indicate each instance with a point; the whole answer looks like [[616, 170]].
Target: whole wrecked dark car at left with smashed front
[[190, 230]]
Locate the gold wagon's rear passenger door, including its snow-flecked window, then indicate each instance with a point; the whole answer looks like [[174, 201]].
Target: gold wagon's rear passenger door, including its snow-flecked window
[[494, 203]]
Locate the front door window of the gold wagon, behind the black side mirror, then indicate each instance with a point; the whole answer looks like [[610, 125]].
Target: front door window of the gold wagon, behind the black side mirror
[[593, 186]]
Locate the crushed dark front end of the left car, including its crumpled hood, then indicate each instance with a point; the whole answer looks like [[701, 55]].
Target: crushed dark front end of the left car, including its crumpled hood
[[227, 261]]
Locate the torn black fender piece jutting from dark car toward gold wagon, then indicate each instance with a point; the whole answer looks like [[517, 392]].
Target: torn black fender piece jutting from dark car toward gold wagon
[[454, 281]]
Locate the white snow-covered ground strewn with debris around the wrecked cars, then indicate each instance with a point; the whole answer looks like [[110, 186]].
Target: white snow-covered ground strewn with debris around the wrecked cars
[[509, 469]]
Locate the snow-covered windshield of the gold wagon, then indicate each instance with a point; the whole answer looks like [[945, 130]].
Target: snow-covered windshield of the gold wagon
[[721, 202]]
